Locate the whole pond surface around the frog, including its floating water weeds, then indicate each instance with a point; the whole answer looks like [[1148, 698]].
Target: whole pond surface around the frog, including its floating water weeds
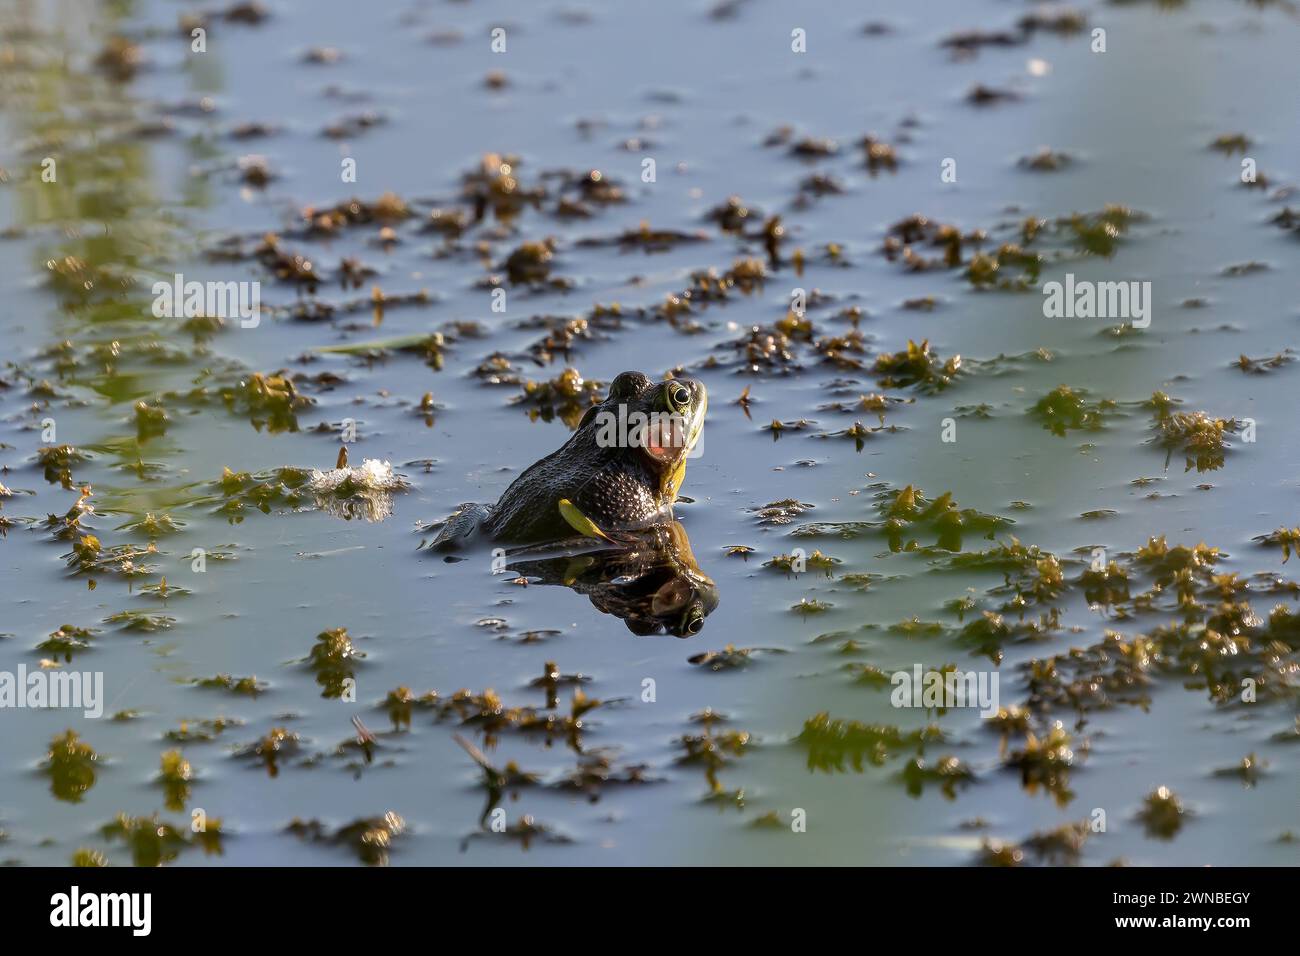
[[1124, 664]]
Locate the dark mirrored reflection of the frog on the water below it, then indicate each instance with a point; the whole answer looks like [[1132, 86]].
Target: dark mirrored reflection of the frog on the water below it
[[647, 578]]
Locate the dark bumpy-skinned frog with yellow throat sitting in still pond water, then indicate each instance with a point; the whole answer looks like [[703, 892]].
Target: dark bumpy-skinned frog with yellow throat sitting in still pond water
[[621, 471]]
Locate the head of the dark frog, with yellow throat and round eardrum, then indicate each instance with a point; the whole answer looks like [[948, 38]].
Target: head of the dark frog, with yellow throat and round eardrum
[[660, 421]]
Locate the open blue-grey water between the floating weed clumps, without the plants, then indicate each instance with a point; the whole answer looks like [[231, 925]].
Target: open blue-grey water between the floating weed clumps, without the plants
[[703, 96]]
